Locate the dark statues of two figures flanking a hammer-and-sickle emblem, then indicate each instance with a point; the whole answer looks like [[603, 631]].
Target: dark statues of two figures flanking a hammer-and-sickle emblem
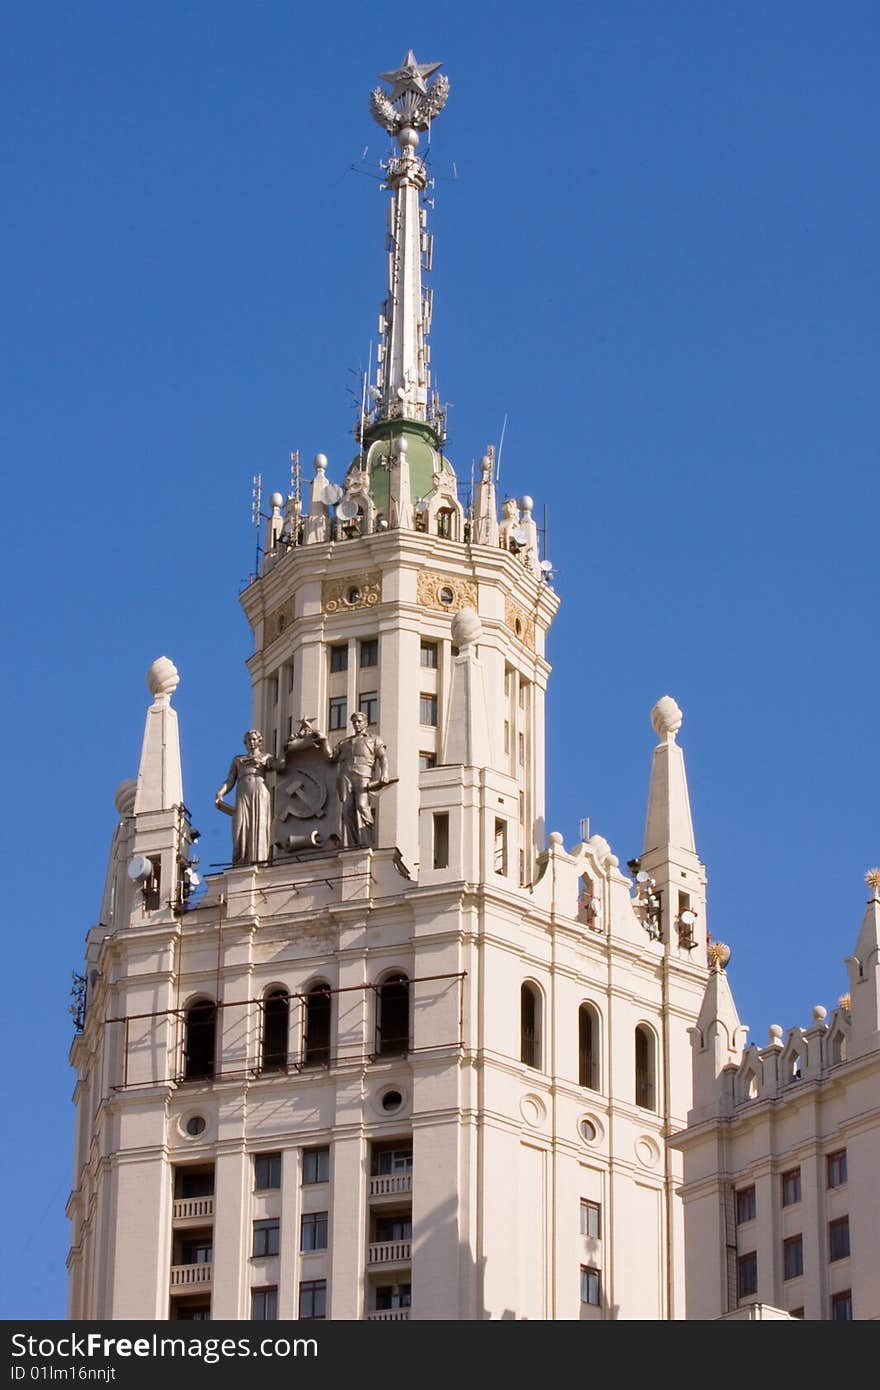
[[325, 807]]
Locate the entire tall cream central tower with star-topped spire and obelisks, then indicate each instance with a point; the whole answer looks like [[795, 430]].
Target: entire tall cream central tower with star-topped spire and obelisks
[[407, 1057]]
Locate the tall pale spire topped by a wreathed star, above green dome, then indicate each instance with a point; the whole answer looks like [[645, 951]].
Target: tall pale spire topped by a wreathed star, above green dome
[[404, 377]]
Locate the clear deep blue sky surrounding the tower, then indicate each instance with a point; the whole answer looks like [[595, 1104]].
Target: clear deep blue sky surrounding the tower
[[657, 252]]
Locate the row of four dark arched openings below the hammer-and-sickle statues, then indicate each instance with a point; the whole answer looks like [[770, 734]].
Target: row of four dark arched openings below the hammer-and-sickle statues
[[393, 1028]]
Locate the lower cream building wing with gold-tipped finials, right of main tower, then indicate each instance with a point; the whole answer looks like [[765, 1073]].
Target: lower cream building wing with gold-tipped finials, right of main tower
[[782, 1153]]
